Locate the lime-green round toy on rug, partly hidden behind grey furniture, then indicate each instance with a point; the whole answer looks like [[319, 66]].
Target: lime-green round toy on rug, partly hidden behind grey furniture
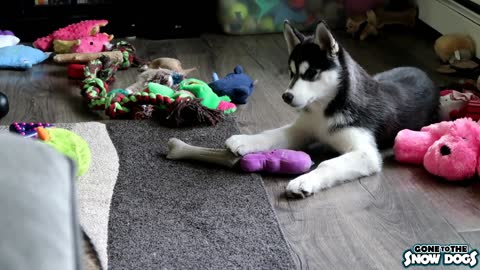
[[69, 144]]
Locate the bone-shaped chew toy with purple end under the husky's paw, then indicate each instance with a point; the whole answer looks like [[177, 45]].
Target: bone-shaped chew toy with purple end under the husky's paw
[[280, 161]]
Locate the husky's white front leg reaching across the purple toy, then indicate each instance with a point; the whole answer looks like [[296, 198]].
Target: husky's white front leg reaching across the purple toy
[[288, 137]]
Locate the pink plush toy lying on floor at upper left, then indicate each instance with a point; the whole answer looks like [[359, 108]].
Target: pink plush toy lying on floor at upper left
[[83, 32]]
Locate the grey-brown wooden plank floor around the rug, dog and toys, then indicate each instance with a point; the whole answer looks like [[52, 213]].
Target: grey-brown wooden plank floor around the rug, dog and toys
[[364, 224]]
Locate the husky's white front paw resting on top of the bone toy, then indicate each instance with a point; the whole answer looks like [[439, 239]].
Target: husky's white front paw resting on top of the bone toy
[[245, 144]]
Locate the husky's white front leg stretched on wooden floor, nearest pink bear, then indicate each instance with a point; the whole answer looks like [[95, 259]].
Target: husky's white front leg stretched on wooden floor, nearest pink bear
[[360, 158]]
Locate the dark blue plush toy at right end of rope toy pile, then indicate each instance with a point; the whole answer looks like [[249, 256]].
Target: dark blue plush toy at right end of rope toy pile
[[237, 85]]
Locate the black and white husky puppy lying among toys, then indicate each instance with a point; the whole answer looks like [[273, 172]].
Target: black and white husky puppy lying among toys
[[344, 107]]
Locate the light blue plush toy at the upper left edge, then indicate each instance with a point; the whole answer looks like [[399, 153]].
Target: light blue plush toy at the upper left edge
[[21, 57]]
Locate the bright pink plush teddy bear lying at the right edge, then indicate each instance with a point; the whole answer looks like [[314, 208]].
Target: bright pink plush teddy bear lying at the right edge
[[449, 149]]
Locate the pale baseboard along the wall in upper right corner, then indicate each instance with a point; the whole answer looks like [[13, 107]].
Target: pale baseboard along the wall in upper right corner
[[447, 17]]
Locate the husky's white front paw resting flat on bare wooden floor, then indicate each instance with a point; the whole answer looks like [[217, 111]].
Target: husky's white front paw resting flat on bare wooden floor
[[303, 186]]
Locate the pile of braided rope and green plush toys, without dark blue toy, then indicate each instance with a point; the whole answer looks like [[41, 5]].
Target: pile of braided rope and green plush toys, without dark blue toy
[[175, 100]]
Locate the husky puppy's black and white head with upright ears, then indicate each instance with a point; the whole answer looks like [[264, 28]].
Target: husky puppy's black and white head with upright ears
[[313, 64]]
